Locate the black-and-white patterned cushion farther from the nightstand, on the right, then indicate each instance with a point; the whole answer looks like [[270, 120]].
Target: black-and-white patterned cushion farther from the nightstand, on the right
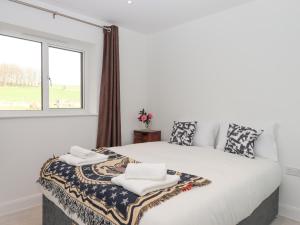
[[241, 140]]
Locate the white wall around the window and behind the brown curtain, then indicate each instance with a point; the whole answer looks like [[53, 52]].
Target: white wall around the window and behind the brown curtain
[[25, 143]]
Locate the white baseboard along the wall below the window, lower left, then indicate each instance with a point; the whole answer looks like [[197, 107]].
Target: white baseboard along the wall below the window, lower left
[[20, 204]]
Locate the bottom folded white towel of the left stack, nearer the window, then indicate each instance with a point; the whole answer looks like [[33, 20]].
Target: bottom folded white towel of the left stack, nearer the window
[[75, 161]]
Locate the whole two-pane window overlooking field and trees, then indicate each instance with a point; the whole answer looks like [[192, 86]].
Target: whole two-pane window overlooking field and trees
[[36, 76]]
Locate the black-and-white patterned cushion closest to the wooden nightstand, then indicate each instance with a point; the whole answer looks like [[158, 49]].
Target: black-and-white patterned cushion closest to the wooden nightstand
[[183, 133]]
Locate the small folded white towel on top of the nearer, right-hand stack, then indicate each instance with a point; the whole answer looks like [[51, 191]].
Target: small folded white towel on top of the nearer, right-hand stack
[[146, 171]]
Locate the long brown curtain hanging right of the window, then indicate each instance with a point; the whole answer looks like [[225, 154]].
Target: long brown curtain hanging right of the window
[[109, 121]]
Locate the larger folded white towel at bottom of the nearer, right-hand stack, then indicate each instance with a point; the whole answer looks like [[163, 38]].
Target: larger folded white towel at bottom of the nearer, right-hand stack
[[143, 187]]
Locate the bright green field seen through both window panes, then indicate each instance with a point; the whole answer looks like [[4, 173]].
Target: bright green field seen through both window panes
[[29, 98]]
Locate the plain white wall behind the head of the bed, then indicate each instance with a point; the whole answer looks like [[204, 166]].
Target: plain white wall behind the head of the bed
[[242, 65]]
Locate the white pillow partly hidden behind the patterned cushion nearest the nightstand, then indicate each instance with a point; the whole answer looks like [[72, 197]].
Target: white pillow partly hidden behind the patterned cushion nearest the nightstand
[[206, 134]]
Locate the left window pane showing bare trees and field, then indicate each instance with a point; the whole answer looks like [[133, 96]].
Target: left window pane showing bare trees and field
[[20, 74]]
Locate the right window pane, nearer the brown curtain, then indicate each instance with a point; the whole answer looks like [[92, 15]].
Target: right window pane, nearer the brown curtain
[[65, 72]]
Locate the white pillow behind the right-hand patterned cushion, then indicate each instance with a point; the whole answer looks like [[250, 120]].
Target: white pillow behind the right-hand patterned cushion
[[265, 145]]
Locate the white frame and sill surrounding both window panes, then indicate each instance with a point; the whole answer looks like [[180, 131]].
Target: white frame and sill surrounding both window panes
[[45, 111]]
